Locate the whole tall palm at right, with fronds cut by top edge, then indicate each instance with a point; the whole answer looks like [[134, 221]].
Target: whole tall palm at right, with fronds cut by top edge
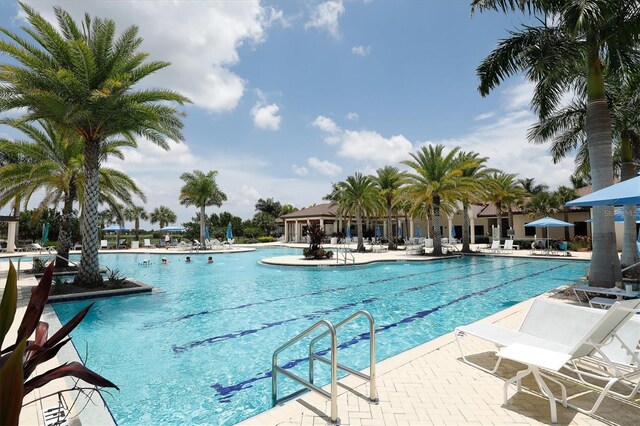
[[585, 37]]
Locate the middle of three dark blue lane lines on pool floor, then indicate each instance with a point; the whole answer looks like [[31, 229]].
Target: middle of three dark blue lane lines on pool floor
[[314, 315]]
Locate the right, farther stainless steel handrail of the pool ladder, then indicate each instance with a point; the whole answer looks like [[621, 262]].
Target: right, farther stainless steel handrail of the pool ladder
[[372, 354]]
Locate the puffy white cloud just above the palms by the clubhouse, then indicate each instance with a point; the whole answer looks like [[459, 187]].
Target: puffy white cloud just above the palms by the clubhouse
[[372, 147]]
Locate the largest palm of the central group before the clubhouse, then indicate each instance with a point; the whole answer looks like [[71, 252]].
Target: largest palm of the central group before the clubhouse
[[436, 180]]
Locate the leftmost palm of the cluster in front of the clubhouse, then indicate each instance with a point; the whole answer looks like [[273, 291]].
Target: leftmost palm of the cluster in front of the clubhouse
[[356, 196]]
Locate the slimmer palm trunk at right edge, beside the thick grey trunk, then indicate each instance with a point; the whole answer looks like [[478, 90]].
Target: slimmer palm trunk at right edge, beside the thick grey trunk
[[629, 248]]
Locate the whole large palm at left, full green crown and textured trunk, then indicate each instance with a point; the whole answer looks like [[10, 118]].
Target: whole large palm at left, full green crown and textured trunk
[[82, 78]]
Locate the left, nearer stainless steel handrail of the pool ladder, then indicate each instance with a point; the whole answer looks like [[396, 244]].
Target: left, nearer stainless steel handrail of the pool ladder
[[275, 369]]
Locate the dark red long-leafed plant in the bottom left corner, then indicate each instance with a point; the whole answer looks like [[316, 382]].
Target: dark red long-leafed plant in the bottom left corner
[[18, 361]]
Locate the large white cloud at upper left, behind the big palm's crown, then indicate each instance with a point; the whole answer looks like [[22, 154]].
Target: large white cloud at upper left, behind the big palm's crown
[[202, 51]]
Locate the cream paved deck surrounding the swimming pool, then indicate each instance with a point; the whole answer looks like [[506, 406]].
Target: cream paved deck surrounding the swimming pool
[[424, 385]]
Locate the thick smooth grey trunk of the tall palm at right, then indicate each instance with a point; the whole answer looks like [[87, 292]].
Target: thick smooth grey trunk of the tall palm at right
[[605, 268]]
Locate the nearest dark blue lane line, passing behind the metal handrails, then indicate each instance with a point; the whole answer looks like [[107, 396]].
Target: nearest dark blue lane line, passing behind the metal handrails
[[225, 393]]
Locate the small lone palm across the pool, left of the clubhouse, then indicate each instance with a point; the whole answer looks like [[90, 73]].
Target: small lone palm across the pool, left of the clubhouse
[[201, 190]]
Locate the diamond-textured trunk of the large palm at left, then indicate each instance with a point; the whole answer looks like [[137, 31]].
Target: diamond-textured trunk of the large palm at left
[[89, 273]]
